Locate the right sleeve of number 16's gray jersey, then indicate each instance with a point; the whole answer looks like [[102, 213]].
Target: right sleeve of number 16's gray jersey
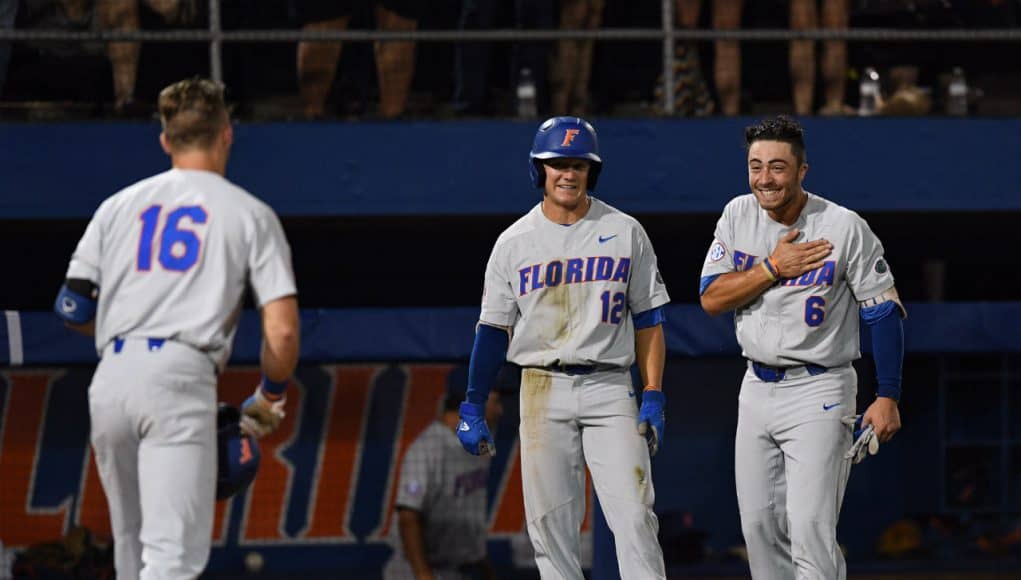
[[270, 268]]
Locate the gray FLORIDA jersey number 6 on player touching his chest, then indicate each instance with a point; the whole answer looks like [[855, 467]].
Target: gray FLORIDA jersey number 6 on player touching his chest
[[813, 319]]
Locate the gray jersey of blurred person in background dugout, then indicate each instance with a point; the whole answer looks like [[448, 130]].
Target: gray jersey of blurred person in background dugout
[[449, 488]]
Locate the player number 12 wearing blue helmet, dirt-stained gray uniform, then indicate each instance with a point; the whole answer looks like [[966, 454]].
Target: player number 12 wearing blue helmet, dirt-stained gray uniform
[[573, 297]]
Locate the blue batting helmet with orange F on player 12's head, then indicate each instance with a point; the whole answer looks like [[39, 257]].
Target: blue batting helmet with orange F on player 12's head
[[565, 137]]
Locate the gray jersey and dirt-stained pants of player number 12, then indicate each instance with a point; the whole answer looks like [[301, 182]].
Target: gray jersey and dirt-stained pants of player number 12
[[569, 294]]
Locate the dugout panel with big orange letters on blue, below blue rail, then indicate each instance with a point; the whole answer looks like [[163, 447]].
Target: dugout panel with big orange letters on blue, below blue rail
[[326, 484]]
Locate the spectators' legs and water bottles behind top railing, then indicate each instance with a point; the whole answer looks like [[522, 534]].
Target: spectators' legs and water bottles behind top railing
[[363, 79]]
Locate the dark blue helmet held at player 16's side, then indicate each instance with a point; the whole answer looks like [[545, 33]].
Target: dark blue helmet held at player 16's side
[[237, 454]]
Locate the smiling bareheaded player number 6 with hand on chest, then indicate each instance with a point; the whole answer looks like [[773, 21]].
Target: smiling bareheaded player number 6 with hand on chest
[[799, 271]]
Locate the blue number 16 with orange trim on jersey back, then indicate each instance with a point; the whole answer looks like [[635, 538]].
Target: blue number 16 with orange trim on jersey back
[[171, 238]]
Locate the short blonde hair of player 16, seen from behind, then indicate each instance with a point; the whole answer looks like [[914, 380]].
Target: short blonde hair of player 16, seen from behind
[[193, 113]]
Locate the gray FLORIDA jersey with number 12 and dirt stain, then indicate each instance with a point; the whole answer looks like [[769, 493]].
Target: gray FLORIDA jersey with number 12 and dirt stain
[[569, 293]]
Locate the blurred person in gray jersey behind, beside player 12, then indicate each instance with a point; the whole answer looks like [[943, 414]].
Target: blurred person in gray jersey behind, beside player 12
[[442, 504]]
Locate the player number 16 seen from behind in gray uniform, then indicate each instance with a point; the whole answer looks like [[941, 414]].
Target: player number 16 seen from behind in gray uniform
[[159, 278]]
